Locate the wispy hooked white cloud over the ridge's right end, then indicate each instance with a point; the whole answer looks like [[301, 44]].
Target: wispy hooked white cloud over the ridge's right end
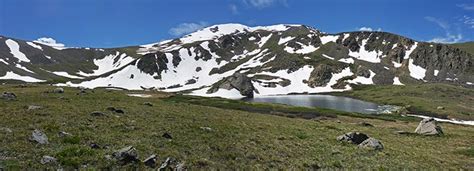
[[449, 36]]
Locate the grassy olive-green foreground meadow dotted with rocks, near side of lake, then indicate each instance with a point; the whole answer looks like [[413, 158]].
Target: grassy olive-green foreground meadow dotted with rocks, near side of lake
[[237, 139]]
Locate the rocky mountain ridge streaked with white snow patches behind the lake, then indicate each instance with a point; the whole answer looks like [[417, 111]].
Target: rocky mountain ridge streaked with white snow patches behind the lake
[[233, 60]]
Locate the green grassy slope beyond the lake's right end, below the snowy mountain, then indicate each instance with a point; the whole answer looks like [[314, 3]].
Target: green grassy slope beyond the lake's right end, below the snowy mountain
[[423, 99]]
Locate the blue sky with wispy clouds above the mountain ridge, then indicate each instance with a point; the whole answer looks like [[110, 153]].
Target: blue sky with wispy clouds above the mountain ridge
[[113, 23]]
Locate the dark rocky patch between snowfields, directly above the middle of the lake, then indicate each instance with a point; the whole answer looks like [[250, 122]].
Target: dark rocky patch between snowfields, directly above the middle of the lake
[[320, 76]]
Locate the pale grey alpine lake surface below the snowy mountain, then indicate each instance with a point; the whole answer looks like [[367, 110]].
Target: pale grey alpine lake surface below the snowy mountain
[[323, 101]]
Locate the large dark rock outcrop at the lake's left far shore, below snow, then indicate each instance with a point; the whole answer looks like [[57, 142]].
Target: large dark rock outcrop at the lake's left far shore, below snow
[[239, 81]]
